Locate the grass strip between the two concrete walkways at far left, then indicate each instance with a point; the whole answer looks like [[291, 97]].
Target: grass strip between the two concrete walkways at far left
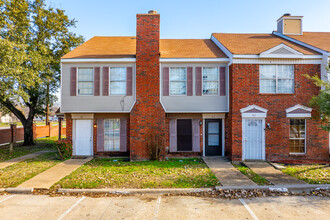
[[18, 173]]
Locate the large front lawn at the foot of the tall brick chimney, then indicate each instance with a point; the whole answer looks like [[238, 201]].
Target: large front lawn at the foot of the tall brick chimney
[[109, 173]]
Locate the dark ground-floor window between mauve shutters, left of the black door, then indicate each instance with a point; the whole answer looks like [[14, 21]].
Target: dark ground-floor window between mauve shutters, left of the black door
[[184, 135]]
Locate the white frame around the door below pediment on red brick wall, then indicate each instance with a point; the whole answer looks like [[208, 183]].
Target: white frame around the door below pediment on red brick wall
[[263, 136]]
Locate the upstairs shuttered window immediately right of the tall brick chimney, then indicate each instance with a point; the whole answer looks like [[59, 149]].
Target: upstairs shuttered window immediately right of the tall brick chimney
[[178, 81]]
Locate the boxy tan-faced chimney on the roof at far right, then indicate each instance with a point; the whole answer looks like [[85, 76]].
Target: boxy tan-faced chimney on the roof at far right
[[290, 25]]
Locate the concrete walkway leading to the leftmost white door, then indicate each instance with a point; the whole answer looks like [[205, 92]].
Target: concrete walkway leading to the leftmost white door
[[47, 178]]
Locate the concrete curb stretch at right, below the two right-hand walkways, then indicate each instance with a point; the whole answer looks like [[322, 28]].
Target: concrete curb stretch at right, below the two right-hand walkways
[[299, 188]]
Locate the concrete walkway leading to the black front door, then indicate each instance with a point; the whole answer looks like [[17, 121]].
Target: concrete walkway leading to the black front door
[[227, 174]]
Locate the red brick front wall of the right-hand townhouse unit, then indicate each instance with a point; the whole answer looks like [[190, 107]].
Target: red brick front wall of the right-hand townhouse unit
[[244, 87]]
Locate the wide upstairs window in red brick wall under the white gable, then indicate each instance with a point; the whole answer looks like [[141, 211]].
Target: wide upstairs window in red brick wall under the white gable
[[276, 79]]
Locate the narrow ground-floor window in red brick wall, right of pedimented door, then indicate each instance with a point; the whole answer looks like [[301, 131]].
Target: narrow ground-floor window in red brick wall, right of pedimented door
[[297, 135]]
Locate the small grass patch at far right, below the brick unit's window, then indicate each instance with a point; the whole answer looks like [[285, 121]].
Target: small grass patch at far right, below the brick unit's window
[[312, 174]]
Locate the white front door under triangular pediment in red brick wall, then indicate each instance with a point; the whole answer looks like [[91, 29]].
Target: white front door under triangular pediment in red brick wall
[[253, 139]]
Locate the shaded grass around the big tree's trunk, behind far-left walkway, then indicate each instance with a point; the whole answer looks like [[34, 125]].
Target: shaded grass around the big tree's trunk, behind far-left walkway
[[19, 150]]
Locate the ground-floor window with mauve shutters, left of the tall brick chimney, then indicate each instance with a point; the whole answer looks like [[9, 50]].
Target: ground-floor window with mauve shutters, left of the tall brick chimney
[[111, 134]]
